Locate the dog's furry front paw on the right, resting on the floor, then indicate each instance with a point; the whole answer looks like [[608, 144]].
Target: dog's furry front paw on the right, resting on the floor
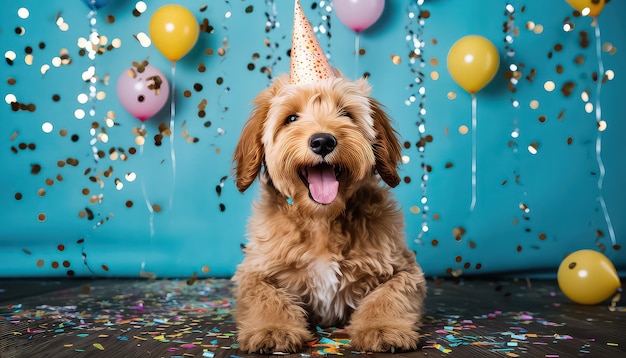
[[383, 339]]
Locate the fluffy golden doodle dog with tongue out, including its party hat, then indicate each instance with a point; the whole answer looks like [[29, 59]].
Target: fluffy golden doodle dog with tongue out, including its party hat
[[326, 242]]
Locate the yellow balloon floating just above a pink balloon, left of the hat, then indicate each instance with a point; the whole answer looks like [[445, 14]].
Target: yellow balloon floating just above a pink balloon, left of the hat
[[174, 31]]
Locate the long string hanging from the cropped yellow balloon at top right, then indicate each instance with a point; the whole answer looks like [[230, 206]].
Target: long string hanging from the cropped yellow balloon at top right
[[599, 80]]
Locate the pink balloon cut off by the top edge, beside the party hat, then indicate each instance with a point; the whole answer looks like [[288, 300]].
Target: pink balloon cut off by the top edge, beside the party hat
[[358, 15]]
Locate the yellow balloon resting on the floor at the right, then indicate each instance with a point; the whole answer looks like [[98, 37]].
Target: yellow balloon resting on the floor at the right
[[587, 277]]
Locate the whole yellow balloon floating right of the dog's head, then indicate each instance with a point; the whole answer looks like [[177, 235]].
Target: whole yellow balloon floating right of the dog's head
[[472, 62]]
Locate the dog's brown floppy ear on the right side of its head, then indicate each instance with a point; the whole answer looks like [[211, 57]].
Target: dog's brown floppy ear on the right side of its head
[[386, 146]]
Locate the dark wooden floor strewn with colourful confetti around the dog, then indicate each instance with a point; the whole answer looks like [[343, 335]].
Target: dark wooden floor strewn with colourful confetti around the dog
[[169, 318]]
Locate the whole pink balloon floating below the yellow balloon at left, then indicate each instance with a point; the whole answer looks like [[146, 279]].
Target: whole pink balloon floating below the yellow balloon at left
[[144, 93]]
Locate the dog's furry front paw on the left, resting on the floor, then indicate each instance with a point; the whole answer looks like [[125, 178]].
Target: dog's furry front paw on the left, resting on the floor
[[273, 339]]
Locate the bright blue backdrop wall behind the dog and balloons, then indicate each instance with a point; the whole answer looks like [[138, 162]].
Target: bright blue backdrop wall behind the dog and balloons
[[87, 189]]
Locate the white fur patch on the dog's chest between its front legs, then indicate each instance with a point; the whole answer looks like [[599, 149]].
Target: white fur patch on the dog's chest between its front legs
[[324, 282]]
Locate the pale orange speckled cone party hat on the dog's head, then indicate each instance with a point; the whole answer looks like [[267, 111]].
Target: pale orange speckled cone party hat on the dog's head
[[308, 62]]
